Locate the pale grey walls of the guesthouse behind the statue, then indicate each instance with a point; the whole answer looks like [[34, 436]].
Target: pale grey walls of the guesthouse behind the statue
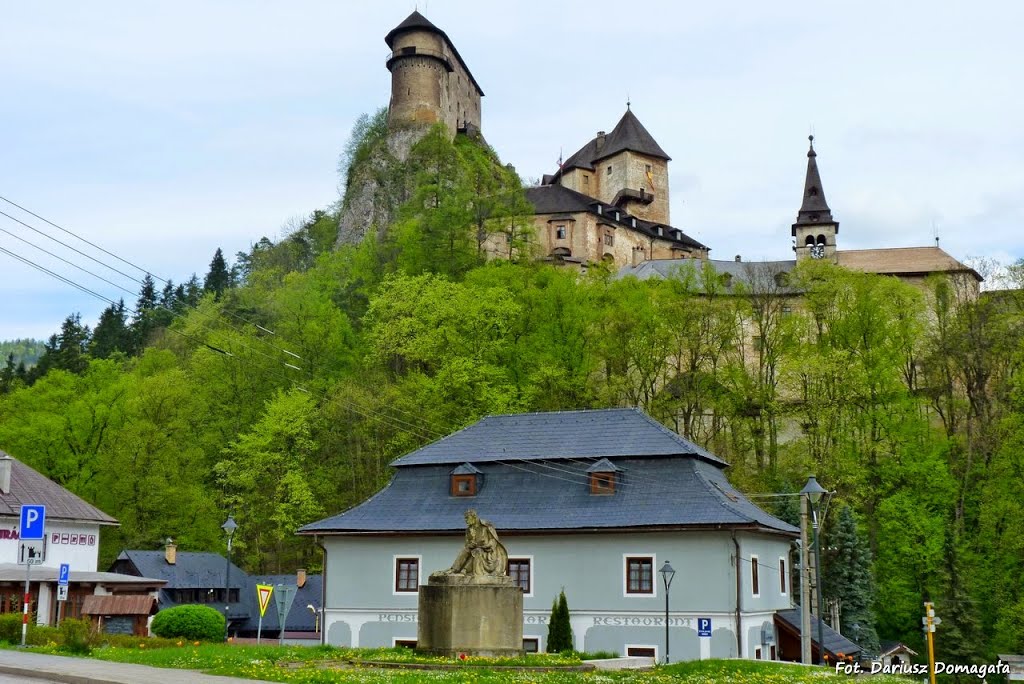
[[362, 609]]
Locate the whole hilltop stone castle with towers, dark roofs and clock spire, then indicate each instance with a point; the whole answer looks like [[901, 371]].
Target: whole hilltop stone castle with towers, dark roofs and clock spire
[[609, 202]]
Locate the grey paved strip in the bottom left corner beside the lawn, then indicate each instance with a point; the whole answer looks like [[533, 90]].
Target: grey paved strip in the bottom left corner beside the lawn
[[88, 671]]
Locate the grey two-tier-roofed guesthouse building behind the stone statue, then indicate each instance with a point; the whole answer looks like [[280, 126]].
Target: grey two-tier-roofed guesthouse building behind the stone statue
[[595, 502]]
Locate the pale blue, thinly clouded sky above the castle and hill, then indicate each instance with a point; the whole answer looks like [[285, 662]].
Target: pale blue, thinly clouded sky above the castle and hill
[[163, 132]]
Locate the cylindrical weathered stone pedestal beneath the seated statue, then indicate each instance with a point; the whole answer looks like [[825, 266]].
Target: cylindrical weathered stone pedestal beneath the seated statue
[[481, 616]]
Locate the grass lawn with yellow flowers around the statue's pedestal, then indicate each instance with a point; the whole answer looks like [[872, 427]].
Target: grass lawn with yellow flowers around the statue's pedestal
[[322, 665]]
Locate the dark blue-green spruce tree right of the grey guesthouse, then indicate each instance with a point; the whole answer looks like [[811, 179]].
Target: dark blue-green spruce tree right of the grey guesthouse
[[848, 578]]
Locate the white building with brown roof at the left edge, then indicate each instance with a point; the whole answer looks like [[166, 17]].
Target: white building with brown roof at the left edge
[[73, 529]]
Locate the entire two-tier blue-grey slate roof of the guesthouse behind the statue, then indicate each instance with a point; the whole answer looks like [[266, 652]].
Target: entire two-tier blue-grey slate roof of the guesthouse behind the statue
[[535, 478]]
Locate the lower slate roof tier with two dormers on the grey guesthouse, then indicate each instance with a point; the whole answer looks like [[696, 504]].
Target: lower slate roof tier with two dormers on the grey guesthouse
[[554, 496]]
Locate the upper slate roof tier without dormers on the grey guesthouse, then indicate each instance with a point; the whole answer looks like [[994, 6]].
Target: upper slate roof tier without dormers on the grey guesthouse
[[552, 436]]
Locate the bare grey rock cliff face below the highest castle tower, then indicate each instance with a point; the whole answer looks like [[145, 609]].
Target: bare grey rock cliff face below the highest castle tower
[[378, 186]]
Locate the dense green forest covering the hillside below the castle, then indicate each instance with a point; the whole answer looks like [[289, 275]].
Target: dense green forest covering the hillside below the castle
[[280, 389]]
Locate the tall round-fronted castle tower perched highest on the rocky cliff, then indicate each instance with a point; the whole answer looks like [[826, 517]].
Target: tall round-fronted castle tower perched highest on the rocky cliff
[[431, 83]]
